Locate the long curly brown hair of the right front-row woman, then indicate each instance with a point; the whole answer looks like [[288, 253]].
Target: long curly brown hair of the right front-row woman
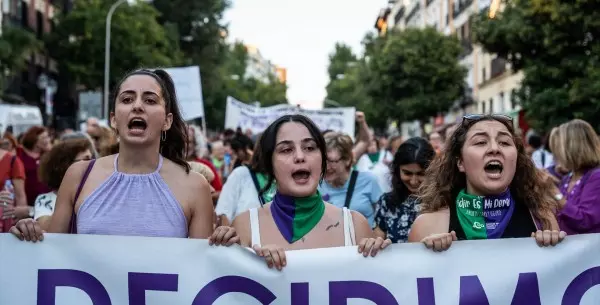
[[443, 180]]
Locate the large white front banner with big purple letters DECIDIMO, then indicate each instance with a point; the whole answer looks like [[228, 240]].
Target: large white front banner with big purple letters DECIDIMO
[[105, 270]]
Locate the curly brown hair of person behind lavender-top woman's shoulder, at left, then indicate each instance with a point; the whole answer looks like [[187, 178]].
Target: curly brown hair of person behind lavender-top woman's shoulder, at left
[[54, 164]]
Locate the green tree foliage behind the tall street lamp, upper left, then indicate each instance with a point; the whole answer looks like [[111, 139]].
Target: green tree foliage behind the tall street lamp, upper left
[[138, 40]]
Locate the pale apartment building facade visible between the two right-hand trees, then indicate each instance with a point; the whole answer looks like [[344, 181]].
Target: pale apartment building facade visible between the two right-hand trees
[[490, 81]]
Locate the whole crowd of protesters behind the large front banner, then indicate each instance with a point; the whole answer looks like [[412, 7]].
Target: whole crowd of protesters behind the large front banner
[[294, 186]]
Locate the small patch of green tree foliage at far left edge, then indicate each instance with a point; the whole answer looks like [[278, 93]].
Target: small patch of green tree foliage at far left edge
[[15, 45]]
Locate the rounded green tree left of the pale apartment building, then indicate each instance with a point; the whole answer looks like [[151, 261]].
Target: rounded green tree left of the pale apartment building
[[415, 74]]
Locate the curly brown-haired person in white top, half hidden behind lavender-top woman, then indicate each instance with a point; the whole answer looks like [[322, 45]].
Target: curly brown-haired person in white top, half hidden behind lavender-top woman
[[53, 166]]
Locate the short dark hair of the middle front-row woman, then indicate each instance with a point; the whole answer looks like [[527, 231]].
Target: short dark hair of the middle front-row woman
[[268, 141]]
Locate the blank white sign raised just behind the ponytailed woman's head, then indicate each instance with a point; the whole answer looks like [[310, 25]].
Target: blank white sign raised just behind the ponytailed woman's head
[[189, 91]]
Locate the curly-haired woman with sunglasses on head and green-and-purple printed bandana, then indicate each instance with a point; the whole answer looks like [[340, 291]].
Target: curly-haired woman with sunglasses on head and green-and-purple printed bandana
[[484, 187]]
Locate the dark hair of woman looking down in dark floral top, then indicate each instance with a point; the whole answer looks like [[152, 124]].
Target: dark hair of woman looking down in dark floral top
[[414, 150]]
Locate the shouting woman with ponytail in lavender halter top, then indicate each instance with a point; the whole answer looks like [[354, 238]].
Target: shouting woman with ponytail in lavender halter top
[[146, 189]]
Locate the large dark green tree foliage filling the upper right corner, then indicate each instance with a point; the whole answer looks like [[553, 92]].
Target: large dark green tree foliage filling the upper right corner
[[555, 44]]
